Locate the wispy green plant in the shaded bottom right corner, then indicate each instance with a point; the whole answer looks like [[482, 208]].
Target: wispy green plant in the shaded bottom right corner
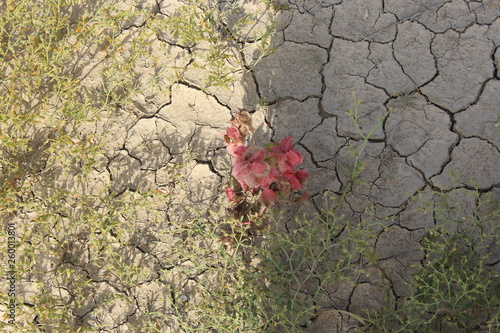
[[456, 287]]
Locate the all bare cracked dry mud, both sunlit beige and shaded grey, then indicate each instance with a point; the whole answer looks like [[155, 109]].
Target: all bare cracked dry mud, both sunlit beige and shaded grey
[[445, 53]]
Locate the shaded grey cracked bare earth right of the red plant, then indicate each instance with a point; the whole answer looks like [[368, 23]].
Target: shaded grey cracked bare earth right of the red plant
[[446, 55]]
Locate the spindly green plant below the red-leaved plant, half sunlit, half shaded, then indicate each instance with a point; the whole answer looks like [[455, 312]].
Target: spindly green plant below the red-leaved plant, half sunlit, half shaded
[[265, 283]]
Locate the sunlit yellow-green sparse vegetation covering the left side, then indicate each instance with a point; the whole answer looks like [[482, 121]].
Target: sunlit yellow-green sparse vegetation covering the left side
[[74, 248]]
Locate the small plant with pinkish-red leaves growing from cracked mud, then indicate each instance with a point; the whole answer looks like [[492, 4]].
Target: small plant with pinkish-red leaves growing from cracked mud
[[261, 176]]
